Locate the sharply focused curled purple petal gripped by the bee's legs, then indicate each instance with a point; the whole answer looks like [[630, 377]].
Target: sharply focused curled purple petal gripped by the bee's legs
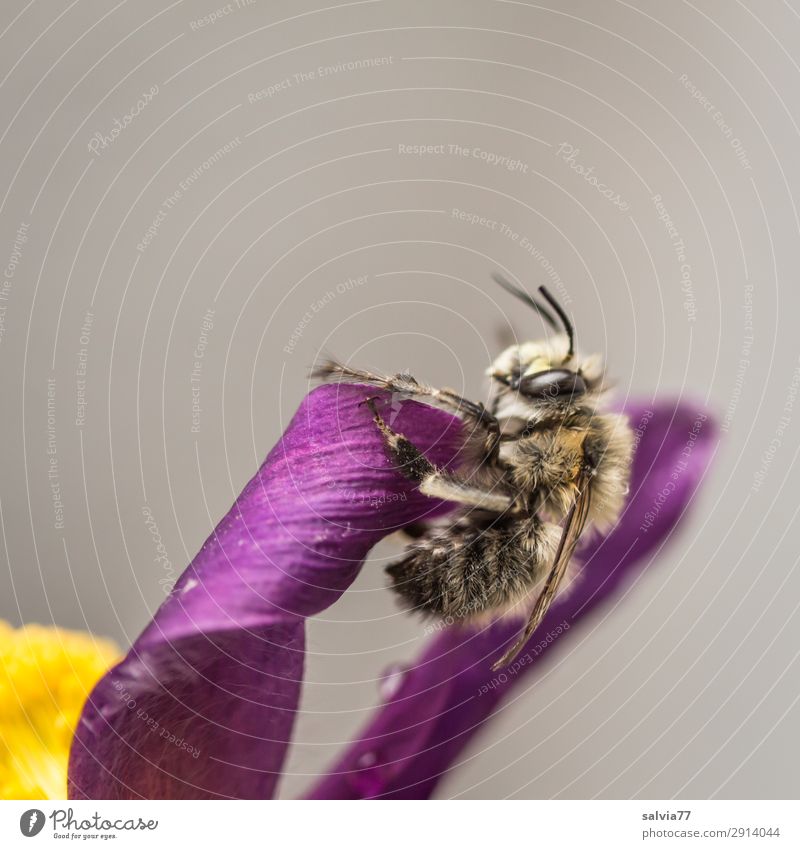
[[204, 703]]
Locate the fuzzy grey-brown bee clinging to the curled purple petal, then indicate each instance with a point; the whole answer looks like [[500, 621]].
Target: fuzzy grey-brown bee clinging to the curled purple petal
[[551, 464]]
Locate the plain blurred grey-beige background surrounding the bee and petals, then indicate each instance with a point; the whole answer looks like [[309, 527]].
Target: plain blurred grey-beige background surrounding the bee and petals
[[265, 152]]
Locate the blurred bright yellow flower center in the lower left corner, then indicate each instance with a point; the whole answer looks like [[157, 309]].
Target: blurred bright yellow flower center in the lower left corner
[[45, 676]]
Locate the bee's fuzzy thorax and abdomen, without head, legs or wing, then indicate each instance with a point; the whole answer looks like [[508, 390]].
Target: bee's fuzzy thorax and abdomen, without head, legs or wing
[[485, 563]]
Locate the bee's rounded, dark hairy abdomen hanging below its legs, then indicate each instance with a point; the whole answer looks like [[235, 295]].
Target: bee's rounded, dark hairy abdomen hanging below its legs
[[467, 570]]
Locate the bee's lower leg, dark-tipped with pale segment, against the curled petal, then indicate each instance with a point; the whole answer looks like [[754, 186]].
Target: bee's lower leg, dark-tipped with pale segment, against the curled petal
[[432, 481]]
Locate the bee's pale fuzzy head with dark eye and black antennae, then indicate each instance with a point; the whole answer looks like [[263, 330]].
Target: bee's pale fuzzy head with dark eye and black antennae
[[548, 371]]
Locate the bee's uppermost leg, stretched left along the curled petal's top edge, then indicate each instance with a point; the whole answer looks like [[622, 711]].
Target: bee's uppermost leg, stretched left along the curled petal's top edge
[[405, 384]]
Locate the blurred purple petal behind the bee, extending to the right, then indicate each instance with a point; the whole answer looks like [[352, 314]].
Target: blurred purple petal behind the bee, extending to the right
[[450, 691]]
